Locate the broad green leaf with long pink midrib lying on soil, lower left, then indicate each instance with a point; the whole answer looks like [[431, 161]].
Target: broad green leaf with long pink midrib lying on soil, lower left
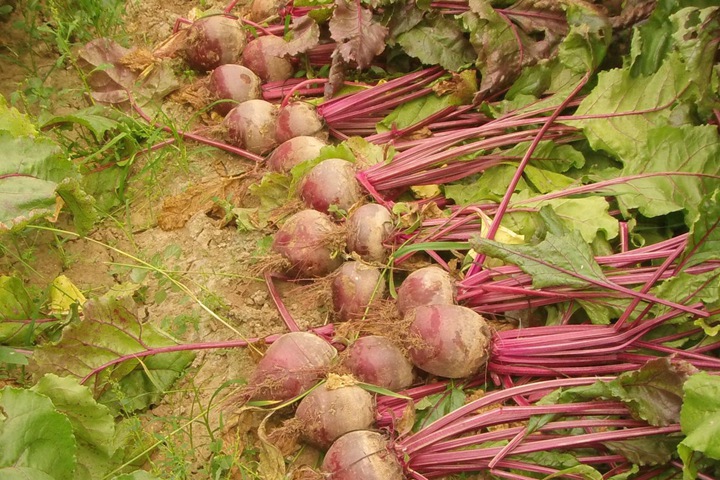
[[110, 330]]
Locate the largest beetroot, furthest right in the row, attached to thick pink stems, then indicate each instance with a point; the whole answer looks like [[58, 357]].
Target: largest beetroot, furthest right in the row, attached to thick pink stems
[[453, 341]]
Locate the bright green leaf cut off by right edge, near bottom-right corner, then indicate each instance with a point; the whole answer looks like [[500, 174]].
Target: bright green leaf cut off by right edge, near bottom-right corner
[[700, 415]]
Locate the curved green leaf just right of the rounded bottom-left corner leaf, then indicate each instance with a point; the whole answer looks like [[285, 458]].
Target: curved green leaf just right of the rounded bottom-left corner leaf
[[93, 424]]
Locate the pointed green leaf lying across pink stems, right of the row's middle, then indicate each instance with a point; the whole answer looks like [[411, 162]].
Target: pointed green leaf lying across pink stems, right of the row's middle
[[563, 259]]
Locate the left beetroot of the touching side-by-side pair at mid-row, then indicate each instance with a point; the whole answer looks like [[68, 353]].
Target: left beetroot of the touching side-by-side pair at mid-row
[[305, 240]]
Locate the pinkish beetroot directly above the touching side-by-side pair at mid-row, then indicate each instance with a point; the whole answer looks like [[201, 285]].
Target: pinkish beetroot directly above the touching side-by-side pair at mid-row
[[330, 182]]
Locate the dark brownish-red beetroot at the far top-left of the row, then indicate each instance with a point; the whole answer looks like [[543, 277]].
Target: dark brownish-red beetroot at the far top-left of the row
[[213, 41]]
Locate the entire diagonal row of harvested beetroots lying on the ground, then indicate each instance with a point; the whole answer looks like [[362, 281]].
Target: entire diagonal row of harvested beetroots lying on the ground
[[444, 339]]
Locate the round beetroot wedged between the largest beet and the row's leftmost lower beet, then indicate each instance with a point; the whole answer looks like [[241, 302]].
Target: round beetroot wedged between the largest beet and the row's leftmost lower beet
[[377, 360]]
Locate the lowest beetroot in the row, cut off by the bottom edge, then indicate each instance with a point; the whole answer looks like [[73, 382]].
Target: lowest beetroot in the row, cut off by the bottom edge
[[362, 455]]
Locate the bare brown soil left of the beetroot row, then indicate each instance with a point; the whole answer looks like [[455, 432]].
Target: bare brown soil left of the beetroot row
[[220, 265]]
